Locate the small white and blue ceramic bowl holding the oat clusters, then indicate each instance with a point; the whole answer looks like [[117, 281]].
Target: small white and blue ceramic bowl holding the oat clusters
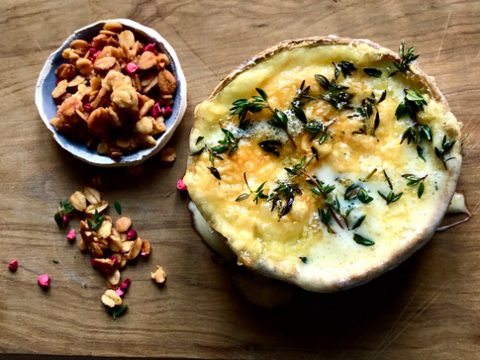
[[47, 108]]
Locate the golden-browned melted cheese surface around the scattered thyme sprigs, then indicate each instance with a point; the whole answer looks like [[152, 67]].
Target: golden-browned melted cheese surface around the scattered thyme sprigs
[[274, 247]]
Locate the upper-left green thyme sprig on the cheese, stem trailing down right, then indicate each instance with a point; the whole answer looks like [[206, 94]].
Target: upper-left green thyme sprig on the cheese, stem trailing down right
[[279, 119]]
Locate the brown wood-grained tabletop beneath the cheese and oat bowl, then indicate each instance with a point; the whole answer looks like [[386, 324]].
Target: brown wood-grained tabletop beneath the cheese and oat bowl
[[428, 308]]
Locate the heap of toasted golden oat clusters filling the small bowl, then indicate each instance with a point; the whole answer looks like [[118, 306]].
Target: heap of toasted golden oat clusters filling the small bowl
[[114, 92]]
